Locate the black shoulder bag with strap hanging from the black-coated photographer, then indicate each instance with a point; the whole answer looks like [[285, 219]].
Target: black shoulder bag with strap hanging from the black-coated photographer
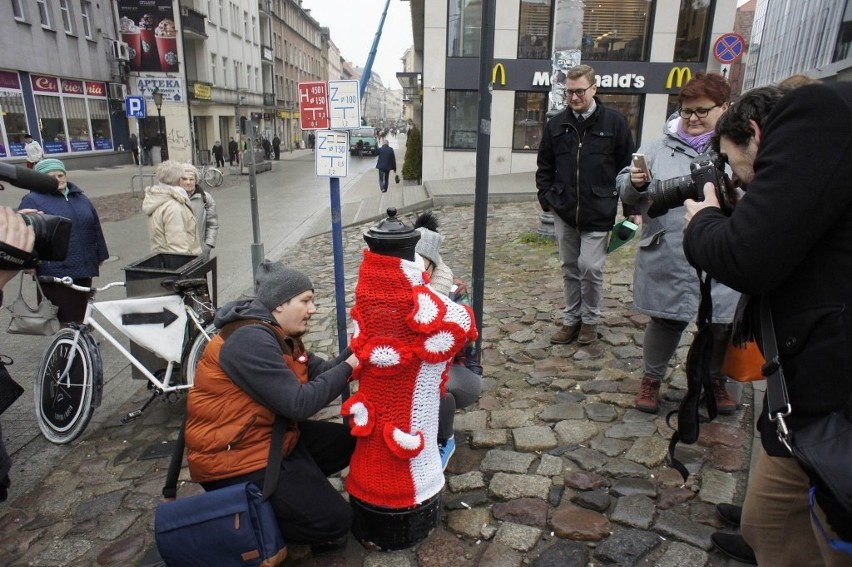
[[823, 448]]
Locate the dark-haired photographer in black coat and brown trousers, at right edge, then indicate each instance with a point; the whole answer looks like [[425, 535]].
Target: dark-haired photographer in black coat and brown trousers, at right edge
[[788, 241]]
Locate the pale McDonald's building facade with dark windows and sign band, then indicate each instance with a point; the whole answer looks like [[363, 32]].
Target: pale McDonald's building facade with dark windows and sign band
[[642, 52]]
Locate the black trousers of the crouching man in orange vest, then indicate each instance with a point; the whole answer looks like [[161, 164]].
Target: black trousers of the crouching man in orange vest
[[309, 509]]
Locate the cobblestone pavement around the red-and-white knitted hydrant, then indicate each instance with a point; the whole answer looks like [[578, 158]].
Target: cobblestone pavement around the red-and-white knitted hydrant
[[553, 466]]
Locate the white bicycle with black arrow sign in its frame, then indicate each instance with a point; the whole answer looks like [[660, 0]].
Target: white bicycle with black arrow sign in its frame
[[175, 327]]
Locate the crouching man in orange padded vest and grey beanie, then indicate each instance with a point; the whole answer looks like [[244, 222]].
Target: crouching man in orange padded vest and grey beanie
[[255, 369]]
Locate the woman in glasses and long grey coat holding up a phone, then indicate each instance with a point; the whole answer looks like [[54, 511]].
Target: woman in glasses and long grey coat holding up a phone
[[665, 286]]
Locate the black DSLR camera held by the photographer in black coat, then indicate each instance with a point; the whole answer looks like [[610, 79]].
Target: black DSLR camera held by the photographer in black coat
[[671, 193]]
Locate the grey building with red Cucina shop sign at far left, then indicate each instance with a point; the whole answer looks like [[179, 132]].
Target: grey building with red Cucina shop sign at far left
[[61, 81]]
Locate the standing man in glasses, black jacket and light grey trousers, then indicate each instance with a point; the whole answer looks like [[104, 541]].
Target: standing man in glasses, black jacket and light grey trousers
[[582, 150]]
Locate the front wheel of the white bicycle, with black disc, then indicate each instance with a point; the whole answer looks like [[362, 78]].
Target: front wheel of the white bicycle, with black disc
[[64, 406]]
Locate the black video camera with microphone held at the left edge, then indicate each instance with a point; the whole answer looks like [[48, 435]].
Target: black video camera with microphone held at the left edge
[[52, 232]]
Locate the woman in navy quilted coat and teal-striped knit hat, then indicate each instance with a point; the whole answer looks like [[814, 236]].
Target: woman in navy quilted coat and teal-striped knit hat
[[87, 247]]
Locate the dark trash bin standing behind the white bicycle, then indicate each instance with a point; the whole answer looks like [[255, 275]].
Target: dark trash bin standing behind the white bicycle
[[143, 278]]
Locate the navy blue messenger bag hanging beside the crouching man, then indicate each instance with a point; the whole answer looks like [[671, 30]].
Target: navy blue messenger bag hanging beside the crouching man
[[234, 526]]
